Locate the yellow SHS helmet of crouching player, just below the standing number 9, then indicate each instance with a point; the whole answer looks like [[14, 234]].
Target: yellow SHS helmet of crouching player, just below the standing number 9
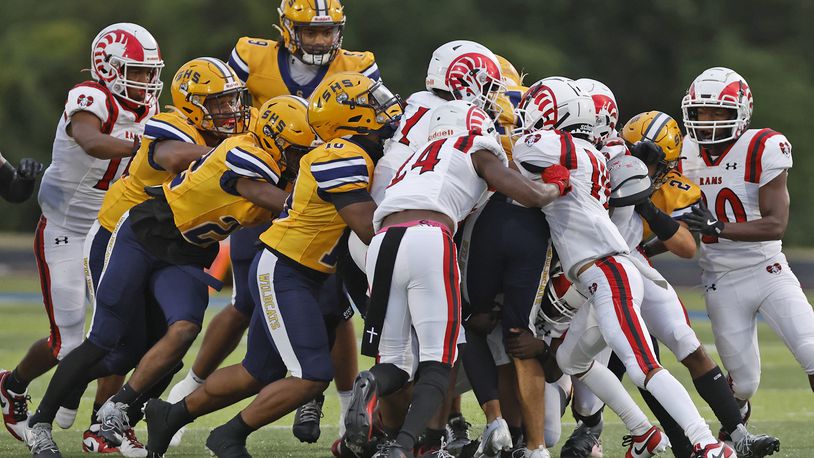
[[349, 103]]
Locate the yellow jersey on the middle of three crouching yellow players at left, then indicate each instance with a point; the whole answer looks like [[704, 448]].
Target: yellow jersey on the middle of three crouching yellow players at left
[[205, 205]]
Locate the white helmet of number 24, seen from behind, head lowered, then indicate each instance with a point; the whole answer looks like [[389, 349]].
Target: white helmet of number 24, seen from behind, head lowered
[[457, 117]]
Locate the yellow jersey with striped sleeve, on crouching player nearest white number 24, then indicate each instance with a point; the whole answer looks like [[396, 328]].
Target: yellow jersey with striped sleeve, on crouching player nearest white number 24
[[309, 228]]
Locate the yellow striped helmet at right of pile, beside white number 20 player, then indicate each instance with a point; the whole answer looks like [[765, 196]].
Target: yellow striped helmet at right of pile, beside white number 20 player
[[661, 129]]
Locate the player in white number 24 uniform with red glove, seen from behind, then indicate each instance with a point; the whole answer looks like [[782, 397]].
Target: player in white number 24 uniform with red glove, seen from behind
[[412, 268]]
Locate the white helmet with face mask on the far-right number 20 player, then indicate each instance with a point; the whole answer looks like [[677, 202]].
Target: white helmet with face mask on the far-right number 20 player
[[717, 87]]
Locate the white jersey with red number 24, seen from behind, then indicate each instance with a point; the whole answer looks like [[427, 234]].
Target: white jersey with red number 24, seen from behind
[[441, 178]]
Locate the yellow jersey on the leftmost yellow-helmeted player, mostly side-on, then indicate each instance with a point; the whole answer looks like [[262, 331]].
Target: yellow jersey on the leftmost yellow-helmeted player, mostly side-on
[[142, 170]]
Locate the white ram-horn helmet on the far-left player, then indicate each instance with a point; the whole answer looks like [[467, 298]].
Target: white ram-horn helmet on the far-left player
[[118, 49]]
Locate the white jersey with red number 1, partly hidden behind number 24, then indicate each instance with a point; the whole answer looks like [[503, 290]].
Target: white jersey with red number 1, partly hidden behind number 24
[[412, 132]]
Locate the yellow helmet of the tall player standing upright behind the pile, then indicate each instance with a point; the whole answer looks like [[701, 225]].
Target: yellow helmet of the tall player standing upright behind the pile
[[326, 14]]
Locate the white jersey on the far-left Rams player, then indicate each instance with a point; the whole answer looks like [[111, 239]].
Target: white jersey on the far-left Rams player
[[75, 183]]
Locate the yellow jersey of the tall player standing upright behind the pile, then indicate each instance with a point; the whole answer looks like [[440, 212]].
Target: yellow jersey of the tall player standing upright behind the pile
[[265, 67]]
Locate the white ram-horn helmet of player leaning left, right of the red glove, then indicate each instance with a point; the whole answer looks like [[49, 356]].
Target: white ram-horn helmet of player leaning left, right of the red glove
[[556, 103]]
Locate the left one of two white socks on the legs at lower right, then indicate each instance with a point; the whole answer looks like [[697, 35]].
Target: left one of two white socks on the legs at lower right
[[609, 389]]
